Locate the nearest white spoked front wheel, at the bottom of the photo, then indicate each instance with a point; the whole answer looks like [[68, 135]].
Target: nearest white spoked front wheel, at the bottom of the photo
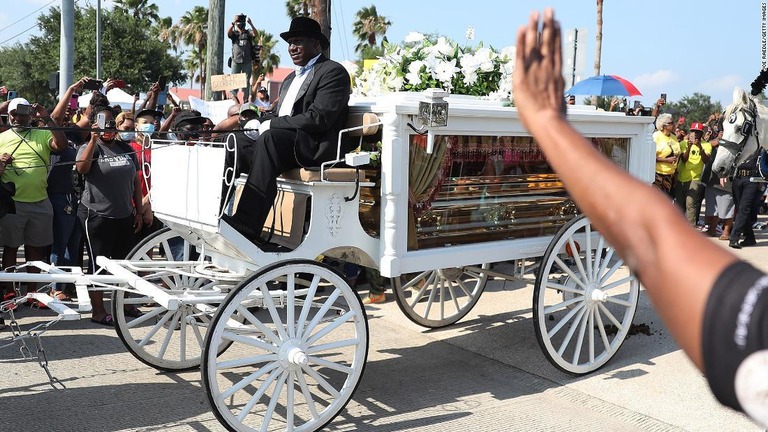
[[298, 354]]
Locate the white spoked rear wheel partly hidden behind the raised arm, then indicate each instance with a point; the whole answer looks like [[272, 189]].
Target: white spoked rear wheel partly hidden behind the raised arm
[[584, 299]]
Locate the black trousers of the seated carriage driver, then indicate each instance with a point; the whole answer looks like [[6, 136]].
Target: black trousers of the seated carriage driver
[[270, 155]]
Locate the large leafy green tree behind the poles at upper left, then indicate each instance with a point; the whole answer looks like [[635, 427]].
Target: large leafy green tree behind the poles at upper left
[[128, 52]]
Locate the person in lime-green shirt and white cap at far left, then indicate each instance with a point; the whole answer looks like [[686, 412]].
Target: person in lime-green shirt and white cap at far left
[[30, 150]]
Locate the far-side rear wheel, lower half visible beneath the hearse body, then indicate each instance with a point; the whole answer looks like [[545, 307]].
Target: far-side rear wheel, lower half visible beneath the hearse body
[[438, 298]]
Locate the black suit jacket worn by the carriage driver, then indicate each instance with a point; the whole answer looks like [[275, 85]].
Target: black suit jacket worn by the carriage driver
[[319, 113]]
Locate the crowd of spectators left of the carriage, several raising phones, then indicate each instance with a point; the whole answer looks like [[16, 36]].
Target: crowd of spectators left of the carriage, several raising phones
[[79, 184]]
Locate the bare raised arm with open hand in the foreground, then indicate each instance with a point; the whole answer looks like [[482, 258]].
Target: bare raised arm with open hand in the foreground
[[659, 236]]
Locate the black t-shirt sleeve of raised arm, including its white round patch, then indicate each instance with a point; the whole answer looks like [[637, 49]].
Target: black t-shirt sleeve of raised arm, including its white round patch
[[735, 340]]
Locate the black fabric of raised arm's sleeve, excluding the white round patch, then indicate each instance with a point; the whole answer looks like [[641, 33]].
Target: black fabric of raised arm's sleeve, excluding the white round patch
[[735, 326]]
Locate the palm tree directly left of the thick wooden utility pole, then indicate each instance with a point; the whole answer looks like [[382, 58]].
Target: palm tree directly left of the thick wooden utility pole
[[191, 30]]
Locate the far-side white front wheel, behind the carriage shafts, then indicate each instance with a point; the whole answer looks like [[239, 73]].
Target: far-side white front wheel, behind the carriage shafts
[[163, 339]]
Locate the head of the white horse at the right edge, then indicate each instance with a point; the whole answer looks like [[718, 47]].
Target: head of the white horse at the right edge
[[745, 130]]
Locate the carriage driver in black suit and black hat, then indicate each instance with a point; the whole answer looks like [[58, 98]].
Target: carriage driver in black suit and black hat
[[303, 132]]
